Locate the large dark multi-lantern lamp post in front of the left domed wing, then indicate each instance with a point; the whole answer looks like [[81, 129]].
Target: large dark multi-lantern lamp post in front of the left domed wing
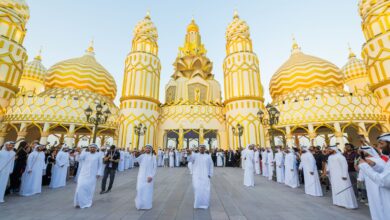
[[99, 118]]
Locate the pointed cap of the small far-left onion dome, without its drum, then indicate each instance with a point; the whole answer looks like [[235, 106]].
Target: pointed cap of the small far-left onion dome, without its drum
[[35, 70]]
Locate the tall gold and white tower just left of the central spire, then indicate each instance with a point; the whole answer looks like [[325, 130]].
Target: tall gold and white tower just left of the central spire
[[140, 92]]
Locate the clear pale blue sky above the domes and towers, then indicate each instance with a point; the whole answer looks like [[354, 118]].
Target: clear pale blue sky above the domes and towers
[[64, 28]]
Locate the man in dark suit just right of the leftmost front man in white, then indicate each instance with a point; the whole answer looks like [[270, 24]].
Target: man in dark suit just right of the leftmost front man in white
[[111, 161]]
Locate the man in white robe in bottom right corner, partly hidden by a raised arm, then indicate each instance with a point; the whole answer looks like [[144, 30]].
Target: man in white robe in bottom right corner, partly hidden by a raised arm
[[377, 210]]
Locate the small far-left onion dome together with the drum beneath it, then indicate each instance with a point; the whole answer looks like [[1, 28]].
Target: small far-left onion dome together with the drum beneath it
[[33, 76]]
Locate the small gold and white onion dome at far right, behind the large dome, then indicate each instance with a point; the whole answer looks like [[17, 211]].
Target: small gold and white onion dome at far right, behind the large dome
[[355, 68]]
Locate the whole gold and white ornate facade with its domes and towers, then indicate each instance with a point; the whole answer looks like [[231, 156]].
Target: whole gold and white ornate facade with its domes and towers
[[318, 101]]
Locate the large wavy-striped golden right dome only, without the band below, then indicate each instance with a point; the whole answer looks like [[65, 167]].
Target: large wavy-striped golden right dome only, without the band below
[[302, 71]]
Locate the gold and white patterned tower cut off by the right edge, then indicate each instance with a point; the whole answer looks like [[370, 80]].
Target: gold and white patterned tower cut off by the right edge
[[376, 28]]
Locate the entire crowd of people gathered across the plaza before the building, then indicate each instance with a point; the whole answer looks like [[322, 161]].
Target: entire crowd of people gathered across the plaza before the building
[[358, 174]]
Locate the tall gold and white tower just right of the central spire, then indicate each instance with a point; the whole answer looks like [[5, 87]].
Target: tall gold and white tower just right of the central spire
[[243, 89]]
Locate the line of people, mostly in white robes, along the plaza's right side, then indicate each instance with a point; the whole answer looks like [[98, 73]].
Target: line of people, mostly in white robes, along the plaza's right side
[[359, 173]]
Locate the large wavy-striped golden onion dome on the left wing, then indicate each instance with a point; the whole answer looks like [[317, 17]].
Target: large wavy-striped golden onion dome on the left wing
[[82, 73]]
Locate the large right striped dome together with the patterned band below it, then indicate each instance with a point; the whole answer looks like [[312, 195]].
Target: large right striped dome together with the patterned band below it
[[308, 89]]
